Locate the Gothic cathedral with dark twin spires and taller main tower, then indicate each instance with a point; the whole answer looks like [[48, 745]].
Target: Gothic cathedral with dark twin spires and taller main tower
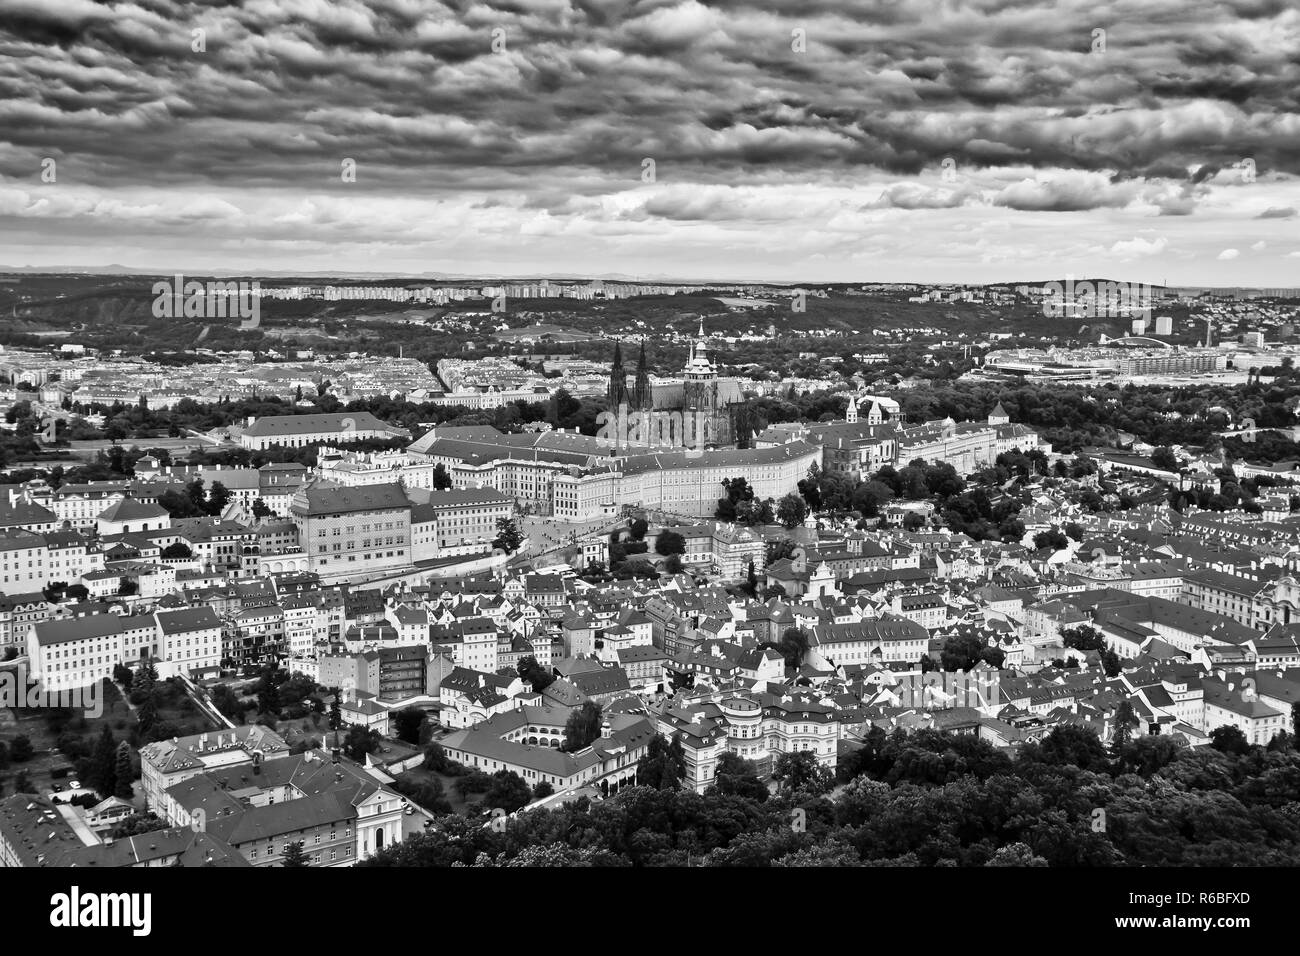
[[701, 410]]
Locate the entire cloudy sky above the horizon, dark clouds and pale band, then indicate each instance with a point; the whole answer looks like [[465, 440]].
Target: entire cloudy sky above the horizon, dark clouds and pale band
[[772, 140]]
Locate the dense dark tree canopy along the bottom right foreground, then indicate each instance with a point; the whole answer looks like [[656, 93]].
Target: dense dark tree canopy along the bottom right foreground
[[929, 799]]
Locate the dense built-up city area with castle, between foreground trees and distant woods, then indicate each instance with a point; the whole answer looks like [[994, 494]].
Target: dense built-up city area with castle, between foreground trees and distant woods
[[306, 673]]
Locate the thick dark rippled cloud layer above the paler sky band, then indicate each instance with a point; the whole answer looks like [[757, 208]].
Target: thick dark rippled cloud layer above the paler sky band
[[409, 85]]
